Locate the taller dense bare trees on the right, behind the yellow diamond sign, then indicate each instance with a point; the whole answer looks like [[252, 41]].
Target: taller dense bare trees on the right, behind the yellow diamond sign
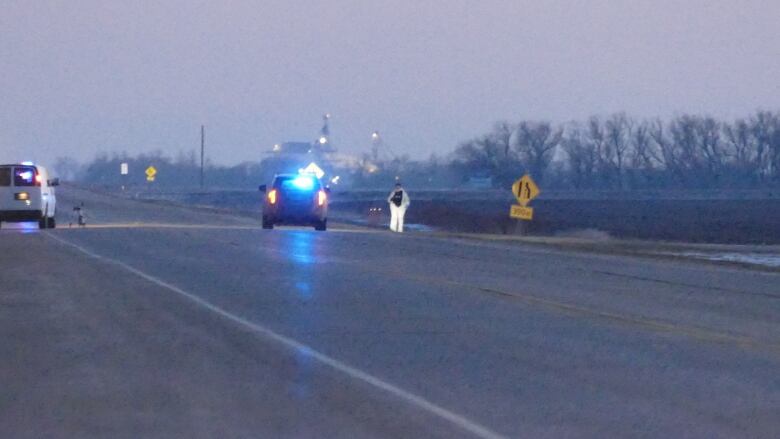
[[619, 152]]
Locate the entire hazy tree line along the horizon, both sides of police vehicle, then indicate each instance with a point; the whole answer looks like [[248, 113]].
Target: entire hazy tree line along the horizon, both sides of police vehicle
[[616, 152]]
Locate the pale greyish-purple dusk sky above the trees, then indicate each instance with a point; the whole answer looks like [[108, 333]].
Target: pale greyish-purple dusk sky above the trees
[[82, 77]]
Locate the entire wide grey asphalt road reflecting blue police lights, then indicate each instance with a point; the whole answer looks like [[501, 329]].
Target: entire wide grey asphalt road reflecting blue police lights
[[160, 321]]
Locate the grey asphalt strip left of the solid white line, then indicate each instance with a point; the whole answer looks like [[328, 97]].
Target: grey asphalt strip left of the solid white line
[[91, 350]]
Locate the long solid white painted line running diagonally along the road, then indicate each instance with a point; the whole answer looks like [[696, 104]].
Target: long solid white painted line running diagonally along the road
[[417, 401]]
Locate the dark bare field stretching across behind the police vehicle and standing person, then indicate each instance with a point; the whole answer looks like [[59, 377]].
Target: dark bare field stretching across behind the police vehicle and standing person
[[684, 217]]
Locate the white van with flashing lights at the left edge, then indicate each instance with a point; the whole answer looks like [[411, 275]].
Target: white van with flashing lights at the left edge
[[27, 194]]
